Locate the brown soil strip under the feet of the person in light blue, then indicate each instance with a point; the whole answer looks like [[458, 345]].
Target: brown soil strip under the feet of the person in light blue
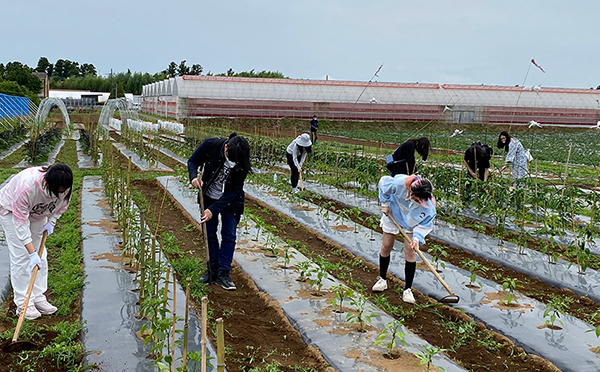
[[430, 321]]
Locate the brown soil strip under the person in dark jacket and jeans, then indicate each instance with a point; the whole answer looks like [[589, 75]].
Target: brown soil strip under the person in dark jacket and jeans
[[255, 325]]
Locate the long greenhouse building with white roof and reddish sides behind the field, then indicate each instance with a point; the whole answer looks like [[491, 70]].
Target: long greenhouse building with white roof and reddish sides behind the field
[[208, 96]]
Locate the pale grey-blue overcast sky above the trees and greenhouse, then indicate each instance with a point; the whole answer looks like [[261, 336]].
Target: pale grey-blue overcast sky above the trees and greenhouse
[[426, 41]]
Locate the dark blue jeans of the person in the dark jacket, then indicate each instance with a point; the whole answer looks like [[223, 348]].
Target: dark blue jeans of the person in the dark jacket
[[221, 257]]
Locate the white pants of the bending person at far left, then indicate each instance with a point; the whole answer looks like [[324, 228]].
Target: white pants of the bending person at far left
[[20, 275]]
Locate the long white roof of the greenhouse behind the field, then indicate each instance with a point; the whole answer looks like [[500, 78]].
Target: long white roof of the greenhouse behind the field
[[220, 87]]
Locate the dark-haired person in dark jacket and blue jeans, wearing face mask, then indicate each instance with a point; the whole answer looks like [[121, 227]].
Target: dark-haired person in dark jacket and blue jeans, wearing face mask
[[226, 163]]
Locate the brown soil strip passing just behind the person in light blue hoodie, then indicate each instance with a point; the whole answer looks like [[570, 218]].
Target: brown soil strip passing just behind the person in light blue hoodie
[[579, 306]]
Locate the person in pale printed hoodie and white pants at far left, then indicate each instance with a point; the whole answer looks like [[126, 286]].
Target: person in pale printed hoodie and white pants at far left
[[30, 204]]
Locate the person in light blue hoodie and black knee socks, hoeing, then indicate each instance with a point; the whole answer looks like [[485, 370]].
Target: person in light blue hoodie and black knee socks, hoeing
[[409, 200]]
